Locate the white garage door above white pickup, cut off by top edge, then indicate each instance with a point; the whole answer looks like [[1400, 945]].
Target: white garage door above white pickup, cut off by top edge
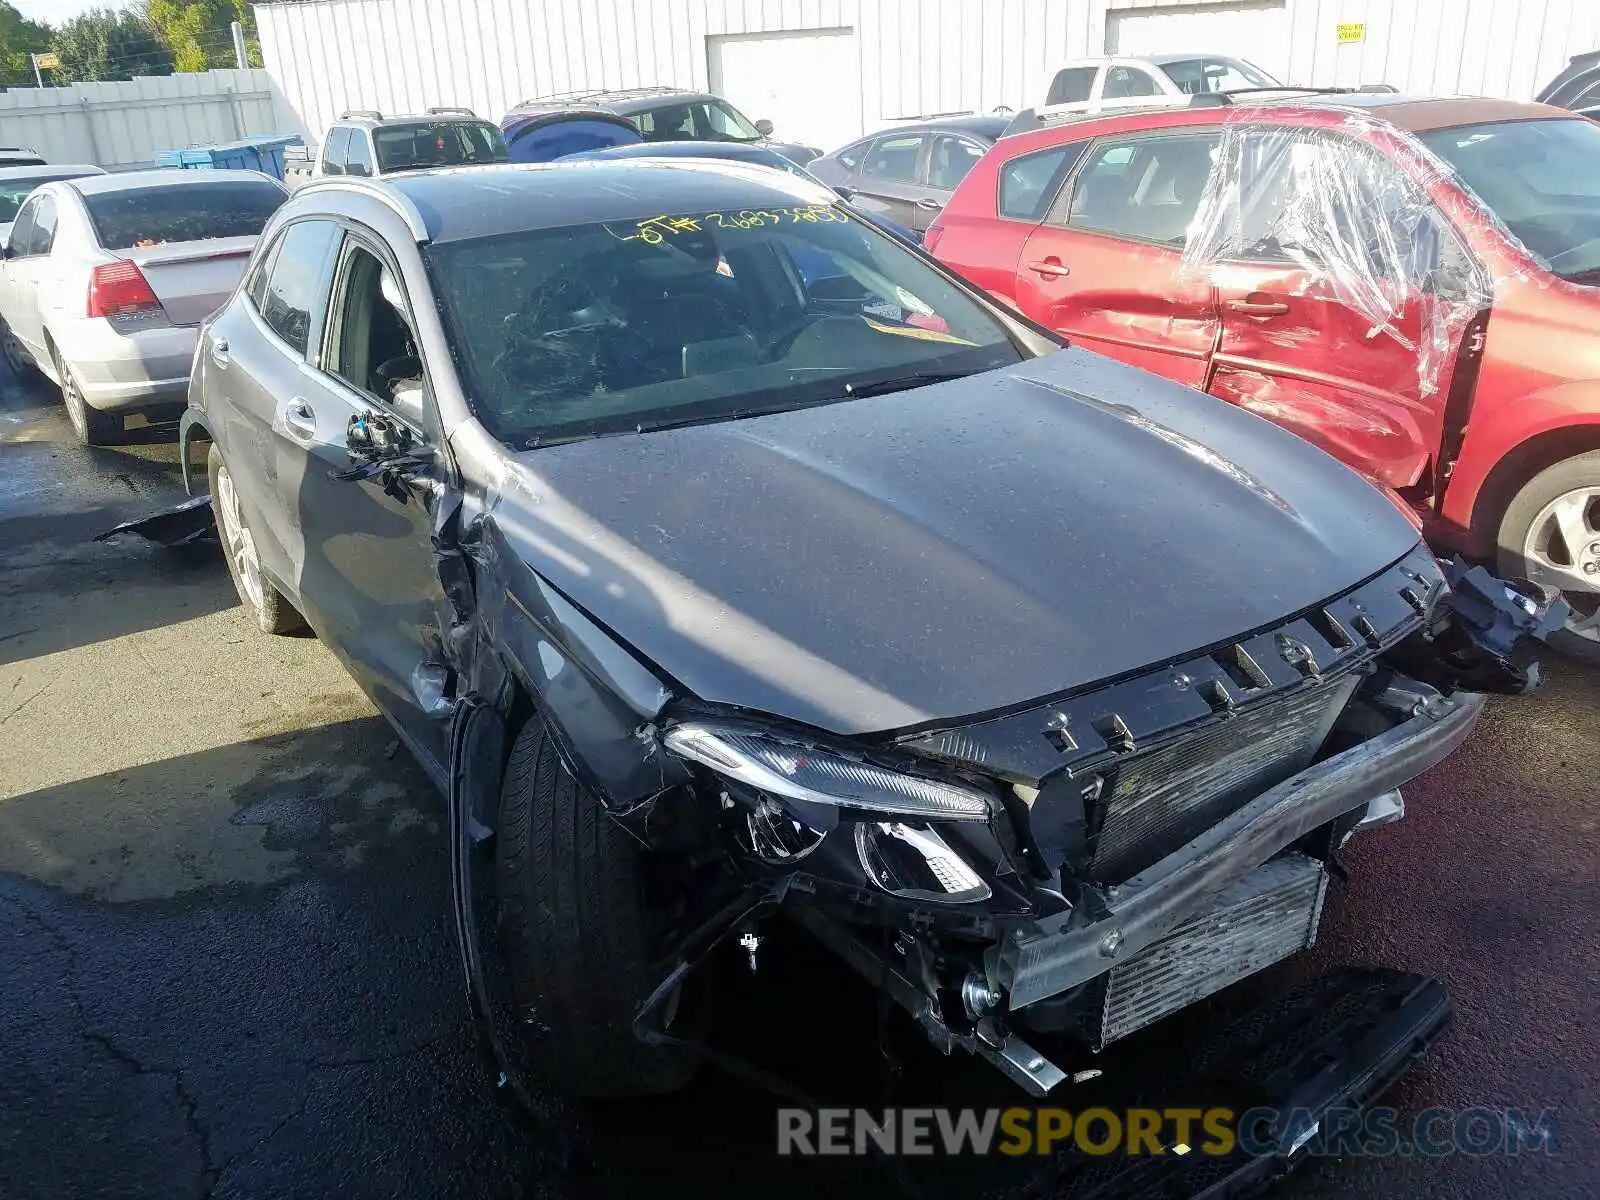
[[1257, 31]]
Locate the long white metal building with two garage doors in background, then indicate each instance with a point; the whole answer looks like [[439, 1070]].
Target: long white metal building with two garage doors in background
[[825, 71]]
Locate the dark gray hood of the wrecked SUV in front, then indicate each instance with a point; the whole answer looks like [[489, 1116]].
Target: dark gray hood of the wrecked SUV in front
[[948, 551]]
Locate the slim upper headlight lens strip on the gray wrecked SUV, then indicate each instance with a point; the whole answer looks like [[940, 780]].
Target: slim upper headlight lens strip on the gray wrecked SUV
[[815, 777]]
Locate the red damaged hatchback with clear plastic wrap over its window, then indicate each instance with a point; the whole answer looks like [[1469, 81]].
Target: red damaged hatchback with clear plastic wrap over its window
[[1410, 284]]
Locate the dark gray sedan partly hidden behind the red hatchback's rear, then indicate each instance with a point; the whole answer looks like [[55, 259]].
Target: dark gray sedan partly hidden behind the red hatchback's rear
[[910, 172]]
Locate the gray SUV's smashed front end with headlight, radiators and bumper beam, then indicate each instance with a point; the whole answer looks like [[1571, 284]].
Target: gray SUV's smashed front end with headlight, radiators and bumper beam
[[1079, 870]]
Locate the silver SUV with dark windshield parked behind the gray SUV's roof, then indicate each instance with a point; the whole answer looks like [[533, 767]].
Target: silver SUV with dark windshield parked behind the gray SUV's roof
[[369, 143]]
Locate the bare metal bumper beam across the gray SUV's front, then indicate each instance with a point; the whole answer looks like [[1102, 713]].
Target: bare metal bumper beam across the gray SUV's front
[[1050, 958]]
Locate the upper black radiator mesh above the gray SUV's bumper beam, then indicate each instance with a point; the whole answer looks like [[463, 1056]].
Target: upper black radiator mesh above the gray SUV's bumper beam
[[1159, 799]]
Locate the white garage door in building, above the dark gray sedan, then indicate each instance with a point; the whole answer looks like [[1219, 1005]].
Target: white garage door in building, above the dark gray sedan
[[807, 84]]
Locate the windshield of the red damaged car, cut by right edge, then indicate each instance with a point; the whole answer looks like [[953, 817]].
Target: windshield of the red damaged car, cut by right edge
[[1542, 180]]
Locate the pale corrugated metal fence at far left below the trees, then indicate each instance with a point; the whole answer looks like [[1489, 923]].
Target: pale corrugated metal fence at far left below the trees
[[124, 126]]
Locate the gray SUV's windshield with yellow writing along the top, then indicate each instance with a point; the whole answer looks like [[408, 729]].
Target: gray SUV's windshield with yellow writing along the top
[[606, 329]]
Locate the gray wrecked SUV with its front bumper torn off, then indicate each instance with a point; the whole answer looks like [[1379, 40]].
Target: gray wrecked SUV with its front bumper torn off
[[727, 561]]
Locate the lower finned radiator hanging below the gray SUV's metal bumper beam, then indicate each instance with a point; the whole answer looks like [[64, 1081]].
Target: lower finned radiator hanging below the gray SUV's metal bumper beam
[[1265, 918]]
